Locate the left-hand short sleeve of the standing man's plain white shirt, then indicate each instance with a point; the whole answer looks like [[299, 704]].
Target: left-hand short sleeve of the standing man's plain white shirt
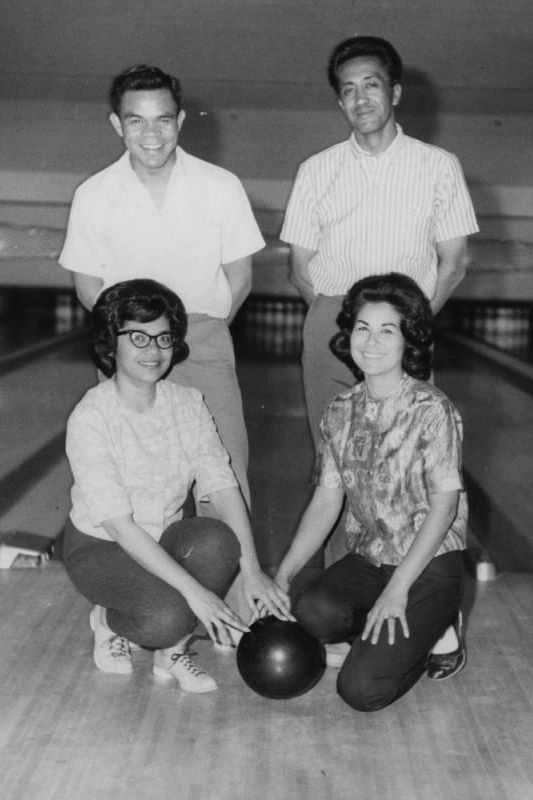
[[83, 250]]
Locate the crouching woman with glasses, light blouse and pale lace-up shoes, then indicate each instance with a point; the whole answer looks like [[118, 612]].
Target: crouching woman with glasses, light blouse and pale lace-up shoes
[[136, 444]]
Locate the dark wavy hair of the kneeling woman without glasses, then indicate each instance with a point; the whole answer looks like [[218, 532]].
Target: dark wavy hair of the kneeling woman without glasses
[[416, 325]]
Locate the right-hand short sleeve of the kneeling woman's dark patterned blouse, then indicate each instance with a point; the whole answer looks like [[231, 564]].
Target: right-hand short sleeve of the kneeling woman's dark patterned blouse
[[441, 446]]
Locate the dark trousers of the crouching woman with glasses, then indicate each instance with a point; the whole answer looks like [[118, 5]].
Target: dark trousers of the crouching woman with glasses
[[140, 606]]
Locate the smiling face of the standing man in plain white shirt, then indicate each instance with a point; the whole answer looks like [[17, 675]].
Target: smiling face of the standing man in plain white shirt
[[149, 124]]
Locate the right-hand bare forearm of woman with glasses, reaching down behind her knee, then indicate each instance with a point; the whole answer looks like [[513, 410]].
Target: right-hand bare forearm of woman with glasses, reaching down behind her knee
[[262, 593]]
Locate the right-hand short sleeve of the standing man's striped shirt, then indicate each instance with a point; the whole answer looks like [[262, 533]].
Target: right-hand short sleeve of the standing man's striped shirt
[[454, 213]]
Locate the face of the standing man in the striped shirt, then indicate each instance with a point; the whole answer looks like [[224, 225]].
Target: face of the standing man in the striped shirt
[[367, 100]]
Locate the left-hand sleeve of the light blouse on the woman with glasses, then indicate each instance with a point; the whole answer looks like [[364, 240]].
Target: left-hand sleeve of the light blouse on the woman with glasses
[[97, 479]]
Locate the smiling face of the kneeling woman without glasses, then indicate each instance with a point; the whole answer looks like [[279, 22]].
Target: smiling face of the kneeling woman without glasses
[[377, 344]]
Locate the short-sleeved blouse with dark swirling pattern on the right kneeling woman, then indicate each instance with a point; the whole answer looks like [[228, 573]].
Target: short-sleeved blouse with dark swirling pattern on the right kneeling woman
[[389, 456]]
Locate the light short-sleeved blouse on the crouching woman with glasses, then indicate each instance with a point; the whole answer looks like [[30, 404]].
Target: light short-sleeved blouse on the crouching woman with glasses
[[144, 464]]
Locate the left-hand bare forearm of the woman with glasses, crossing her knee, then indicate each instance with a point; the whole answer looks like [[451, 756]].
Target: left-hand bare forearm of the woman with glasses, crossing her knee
[[206, 605]]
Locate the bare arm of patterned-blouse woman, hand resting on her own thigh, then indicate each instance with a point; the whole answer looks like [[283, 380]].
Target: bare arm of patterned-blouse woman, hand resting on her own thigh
[[392, 602]]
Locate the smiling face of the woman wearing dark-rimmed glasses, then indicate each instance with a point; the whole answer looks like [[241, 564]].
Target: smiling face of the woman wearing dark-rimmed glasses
[[141, 367]]
